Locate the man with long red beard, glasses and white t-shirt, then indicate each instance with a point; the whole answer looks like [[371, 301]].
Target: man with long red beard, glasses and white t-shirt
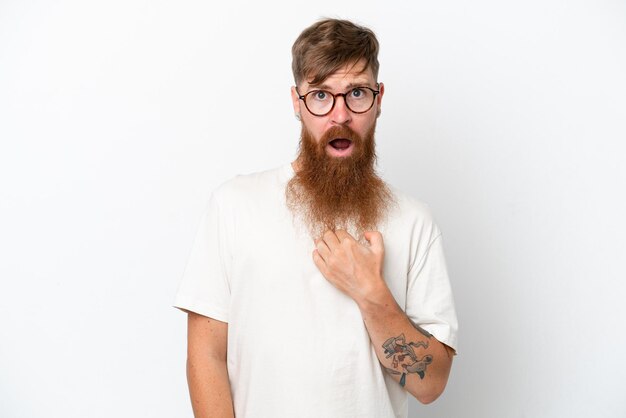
[[315, 289]]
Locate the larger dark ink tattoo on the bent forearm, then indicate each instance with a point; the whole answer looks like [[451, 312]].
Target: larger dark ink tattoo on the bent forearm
[[399, 349]]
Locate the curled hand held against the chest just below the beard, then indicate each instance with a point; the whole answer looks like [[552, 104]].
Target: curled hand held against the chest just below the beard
[[353, 268]]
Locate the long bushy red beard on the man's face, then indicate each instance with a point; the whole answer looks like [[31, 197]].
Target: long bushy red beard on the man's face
[[338, 192]]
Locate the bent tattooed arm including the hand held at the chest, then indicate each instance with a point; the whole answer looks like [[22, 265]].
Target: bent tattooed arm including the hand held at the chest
[[410, 355]]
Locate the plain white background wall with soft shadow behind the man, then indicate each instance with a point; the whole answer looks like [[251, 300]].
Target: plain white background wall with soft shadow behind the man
[[117, 118]]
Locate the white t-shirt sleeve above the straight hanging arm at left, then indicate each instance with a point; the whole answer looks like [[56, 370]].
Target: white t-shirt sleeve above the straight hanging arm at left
[[205, 287]]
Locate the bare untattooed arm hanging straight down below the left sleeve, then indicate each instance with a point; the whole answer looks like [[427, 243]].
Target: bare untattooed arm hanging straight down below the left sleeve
[[207, 374]]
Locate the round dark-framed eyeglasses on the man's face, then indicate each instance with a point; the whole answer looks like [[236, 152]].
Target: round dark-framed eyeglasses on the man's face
[[322, 102]]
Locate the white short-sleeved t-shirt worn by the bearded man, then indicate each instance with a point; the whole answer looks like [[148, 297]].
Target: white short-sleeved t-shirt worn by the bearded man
[[297, 346]]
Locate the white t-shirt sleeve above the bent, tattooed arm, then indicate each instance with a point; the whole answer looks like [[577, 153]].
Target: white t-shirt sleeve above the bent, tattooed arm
[[430, 303]]
